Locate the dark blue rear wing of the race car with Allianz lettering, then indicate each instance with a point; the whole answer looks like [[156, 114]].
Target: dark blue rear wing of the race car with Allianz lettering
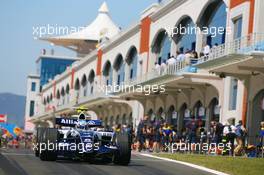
[[72, 122]]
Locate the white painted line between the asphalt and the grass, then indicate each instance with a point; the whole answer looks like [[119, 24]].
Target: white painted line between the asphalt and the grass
[[186, 164]]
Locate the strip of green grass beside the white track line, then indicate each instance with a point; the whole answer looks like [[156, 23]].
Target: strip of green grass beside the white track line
[[230, 165]]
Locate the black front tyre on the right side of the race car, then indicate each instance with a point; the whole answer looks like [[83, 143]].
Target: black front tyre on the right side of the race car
[[123, 155]]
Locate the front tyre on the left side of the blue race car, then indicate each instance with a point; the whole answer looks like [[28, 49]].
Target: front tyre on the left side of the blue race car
[[49, 139]]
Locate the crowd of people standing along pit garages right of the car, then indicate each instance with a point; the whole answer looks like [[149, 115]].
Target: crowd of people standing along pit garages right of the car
[[155, 136]]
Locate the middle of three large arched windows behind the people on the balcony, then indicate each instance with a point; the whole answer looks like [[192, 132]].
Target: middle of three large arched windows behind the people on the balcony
[[185, 36]]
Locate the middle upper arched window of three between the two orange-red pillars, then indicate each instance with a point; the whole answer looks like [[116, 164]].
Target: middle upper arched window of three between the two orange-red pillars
[[119, 67]]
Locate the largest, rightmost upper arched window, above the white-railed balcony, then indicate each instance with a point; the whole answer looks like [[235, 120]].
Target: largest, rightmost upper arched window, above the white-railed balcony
[[214, 17]]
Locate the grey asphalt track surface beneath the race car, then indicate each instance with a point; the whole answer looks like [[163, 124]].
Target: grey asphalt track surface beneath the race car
[[23, 162]]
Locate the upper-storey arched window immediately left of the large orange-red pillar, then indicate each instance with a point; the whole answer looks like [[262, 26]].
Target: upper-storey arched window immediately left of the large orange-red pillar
[[132, 61]]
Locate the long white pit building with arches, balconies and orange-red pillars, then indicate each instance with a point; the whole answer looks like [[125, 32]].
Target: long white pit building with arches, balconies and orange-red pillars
[[227, 84]]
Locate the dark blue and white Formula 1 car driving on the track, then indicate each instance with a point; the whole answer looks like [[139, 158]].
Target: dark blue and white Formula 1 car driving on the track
[[81, 139]]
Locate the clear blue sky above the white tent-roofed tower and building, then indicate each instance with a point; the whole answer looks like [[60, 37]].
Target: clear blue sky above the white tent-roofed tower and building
[[18, 49]]
